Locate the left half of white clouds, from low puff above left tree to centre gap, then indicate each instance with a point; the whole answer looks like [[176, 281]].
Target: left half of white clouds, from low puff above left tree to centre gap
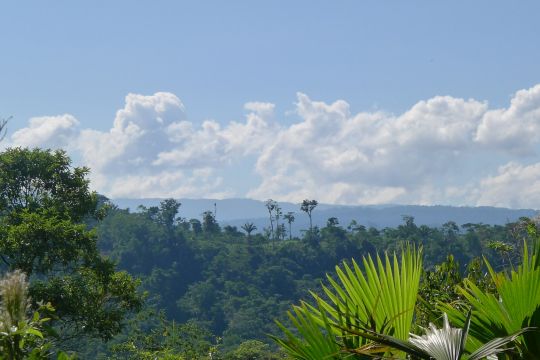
[[152, 150]]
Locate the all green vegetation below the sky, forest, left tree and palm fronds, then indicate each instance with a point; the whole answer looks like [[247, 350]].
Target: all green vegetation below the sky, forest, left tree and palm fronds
[[98, 281]]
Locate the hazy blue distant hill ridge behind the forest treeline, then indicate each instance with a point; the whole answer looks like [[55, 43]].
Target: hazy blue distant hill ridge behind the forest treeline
[[236, 212]]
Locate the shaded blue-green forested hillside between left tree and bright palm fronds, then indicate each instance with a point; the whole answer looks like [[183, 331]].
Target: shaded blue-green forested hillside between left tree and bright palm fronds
[[234, 282]]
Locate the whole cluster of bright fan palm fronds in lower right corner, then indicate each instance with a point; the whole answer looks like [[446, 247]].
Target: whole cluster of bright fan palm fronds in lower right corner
[[351, 323]]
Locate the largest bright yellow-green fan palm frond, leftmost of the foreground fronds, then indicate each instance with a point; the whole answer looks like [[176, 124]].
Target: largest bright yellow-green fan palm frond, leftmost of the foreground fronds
[[382, 298]]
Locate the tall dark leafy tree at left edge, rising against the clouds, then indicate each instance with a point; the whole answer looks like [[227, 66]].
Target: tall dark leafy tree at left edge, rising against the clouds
[[44, 203]]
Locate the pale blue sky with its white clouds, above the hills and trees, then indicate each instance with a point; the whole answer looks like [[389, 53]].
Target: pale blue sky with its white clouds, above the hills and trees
[[346, 102]]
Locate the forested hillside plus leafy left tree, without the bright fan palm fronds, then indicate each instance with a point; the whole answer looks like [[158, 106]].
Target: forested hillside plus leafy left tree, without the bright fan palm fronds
[[145, 284]]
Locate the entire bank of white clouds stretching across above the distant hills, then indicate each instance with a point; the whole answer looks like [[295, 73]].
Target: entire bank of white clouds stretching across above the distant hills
[[442, 150]]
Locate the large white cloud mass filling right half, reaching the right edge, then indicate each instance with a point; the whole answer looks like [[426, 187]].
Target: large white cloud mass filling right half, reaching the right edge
[[436, 152]]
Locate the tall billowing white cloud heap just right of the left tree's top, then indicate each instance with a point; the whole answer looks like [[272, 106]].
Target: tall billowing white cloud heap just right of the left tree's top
[[152, 150]]
